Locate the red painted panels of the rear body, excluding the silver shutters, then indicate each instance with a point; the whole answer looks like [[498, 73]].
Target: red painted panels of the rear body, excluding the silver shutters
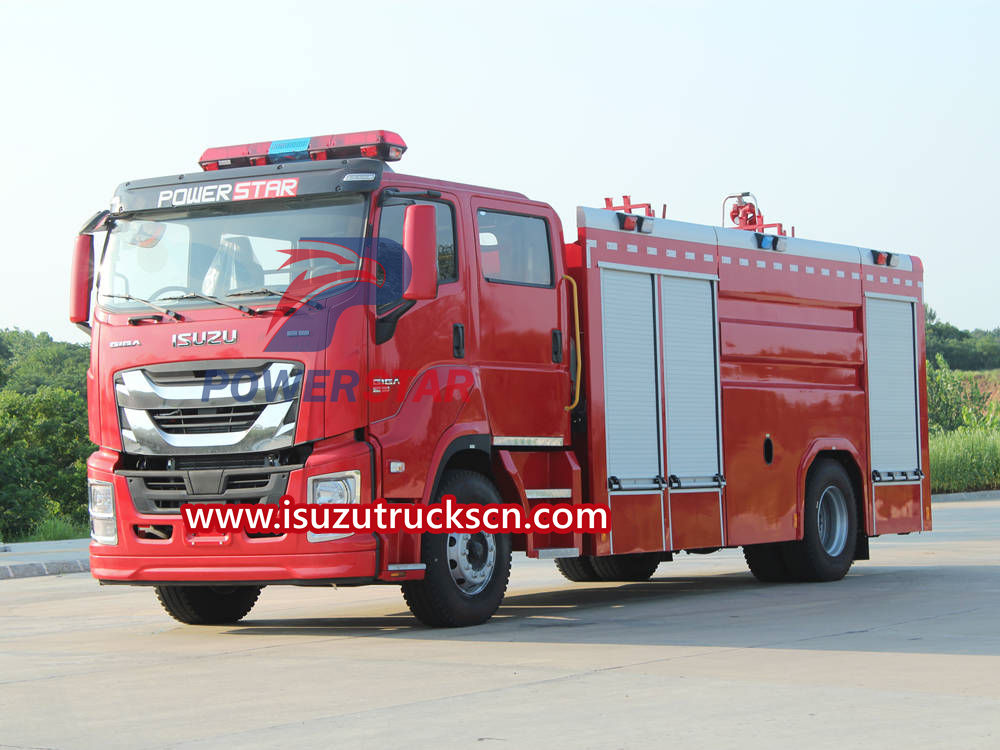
[[793, 367]]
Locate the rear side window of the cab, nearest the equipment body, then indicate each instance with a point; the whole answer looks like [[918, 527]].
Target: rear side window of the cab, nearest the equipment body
[[514, 249]]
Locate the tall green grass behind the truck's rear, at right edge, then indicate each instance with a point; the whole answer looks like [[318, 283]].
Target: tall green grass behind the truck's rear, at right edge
[[966, 460]]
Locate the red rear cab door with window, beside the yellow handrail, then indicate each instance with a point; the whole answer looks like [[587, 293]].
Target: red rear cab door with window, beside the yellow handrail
[[522, 341]]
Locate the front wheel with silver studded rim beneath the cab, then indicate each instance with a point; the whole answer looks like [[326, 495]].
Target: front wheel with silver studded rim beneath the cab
[[466, 574]]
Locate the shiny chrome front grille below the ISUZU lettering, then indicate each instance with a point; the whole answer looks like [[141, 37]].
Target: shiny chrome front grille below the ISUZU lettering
[[192, 408]]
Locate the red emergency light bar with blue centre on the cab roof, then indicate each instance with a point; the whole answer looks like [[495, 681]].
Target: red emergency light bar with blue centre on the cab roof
[[374, 144]]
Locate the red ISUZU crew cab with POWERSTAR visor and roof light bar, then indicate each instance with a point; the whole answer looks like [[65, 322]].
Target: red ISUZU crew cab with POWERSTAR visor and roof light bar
[[299, 321]]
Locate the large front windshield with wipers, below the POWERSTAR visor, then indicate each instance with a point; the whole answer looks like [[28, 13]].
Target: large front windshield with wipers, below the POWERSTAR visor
[[187, 256]]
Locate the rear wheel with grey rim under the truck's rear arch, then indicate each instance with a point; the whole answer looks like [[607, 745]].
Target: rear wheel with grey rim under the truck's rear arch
[[830, 527]]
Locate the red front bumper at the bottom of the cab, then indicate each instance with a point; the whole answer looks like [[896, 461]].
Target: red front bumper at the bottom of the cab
[[236, 557]]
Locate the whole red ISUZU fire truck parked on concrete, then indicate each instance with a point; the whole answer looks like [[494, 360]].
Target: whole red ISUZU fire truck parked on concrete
[[709, 387]]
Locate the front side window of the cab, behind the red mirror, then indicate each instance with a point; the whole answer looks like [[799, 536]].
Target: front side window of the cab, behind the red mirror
[[390, 255]]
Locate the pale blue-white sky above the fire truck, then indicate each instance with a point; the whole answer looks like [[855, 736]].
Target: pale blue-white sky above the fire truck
[[866, 123]]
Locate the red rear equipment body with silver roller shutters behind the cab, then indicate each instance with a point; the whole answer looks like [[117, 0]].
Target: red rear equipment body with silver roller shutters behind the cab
[[812, 342]]
